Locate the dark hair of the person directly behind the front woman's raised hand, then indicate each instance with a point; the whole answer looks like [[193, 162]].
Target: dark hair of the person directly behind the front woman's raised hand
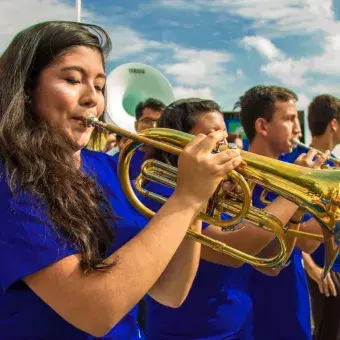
[[182, 115]]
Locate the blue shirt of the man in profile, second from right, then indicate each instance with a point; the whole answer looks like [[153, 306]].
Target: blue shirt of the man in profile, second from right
[[281, 309]]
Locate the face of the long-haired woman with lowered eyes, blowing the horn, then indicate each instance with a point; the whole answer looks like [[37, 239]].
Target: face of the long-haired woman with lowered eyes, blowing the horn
[[71, 89]]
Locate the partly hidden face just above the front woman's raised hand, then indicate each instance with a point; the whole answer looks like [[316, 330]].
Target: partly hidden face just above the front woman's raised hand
[[209, 122]]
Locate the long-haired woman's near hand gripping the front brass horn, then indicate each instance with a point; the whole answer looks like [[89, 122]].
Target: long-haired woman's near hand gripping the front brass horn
[[200, 171]]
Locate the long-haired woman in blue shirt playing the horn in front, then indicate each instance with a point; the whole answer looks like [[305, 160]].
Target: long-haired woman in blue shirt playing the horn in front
[[75, 261]]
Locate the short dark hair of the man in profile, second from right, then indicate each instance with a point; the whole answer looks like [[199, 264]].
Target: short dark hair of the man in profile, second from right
[[258, 102]]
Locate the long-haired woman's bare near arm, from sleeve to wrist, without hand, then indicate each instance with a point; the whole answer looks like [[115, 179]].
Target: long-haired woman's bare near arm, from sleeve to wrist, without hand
[[95, 302]]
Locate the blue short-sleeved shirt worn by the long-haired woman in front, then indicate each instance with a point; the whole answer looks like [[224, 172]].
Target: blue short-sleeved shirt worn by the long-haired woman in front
[[28, 243]]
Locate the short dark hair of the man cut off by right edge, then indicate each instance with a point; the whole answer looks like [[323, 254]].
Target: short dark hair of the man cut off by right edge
[[321, 111]]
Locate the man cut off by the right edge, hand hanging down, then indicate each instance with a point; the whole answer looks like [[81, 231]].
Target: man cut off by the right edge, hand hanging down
[[323, 121]]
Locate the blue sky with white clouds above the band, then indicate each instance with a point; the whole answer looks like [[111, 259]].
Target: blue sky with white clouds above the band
[[209, 48]]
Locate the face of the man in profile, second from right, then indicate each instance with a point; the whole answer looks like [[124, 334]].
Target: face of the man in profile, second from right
[[283, 127]]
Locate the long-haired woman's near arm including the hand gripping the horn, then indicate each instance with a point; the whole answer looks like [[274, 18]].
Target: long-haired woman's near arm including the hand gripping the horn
[[95, 302]]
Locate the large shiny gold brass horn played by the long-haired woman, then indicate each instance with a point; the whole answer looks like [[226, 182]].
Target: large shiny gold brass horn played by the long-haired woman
[[317, 191]]
